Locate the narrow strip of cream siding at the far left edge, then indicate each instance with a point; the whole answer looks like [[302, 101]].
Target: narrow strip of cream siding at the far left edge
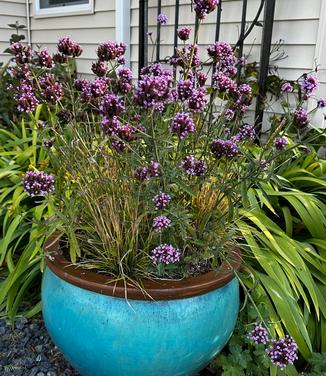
[[10, 12]]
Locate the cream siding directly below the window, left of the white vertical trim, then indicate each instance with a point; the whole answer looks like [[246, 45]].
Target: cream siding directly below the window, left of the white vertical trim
[[87, 29]]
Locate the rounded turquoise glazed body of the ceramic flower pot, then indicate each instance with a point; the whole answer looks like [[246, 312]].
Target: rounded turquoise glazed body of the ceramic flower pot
[[103, 335]]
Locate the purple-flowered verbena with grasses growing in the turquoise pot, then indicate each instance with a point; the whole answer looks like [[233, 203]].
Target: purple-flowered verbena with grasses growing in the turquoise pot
[[149, 173]]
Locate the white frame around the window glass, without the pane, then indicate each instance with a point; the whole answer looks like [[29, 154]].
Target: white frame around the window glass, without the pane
[[67, 10]]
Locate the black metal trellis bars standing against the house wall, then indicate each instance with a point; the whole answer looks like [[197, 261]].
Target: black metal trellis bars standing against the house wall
[[245, 30]]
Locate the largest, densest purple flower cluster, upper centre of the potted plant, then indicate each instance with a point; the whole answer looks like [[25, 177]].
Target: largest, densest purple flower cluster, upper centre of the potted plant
[[153, 89]]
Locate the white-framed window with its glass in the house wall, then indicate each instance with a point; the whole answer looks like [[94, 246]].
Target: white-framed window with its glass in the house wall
[[49, 8]]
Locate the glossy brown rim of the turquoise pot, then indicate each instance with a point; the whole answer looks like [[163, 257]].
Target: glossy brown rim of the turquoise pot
[[151, 289]]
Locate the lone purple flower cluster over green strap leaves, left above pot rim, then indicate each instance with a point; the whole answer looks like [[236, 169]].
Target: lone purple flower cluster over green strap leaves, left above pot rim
[[38, 183]]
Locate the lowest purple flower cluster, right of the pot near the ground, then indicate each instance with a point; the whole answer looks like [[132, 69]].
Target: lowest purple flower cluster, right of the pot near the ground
[[283, 352]]
